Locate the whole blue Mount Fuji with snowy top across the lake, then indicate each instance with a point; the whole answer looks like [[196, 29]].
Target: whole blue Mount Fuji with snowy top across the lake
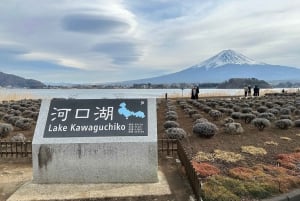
[[223, 66]]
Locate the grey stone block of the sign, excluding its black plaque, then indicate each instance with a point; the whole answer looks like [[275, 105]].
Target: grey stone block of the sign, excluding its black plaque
[[128, 159]]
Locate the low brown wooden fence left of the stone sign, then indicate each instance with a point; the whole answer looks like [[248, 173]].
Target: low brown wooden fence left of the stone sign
[[15, 149]]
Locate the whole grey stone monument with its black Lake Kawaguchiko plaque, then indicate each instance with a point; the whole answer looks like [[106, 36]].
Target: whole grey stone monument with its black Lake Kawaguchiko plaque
[[95, 141]]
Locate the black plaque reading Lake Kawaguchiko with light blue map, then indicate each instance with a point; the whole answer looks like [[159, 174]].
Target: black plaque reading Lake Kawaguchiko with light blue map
[[96, 118]]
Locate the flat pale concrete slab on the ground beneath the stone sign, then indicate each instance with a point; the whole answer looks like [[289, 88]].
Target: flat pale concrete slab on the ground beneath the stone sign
[[43, 192]]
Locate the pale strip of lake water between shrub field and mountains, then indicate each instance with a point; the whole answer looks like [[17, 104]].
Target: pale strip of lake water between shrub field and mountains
[[7, 94]]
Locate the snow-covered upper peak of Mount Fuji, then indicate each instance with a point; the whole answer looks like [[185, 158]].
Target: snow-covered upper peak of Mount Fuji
[[227, 57]]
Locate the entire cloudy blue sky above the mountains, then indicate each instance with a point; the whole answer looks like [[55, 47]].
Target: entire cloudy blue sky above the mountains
[[98, 41]]
